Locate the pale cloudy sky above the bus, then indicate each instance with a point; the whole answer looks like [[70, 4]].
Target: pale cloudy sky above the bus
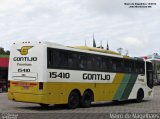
[[72, 22]]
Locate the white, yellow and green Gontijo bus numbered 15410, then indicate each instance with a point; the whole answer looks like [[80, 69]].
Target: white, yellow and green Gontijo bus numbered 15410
[[47, 73]]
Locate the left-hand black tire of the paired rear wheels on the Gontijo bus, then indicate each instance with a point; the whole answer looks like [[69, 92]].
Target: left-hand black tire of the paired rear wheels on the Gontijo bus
[[73, 100]]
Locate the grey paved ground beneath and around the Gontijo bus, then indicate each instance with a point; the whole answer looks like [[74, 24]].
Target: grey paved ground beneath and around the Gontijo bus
[[97, 110]]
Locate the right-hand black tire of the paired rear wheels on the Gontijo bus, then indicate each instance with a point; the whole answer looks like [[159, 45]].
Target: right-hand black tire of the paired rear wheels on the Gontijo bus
[[86, 99]]
